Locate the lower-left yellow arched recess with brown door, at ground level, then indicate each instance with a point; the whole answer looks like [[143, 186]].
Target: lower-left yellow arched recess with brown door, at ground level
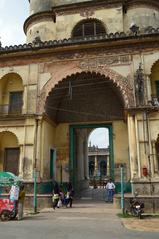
[[9, 152]]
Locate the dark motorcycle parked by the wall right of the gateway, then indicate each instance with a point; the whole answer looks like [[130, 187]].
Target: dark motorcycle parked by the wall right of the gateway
[[136, 208]]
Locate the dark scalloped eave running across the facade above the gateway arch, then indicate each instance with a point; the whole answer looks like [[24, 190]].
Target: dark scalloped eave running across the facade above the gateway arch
[[105, 38]]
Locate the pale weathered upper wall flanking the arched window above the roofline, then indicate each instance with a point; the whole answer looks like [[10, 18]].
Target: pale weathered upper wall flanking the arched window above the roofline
[[48, 30]]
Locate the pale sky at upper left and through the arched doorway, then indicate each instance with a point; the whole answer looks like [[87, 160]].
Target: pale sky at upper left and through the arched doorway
[[13, 13]]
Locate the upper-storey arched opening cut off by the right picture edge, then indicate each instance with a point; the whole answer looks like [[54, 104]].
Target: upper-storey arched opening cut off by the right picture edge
[[155, 82]]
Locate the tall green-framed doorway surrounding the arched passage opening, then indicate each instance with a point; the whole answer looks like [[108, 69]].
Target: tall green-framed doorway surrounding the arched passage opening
[[78, 167]]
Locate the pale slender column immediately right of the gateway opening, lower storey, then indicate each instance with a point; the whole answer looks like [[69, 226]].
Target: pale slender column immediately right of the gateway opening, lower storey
[[132, 147]]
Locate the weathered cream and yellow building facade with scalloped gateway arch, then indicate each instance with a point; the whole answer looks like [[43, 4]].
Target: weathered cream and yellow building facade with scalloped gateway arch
[[85, 65]]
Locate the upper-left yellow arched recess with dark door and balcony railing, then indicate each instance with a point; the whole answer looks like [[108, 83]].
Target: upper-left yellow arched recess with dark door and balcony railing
[[11, 97]]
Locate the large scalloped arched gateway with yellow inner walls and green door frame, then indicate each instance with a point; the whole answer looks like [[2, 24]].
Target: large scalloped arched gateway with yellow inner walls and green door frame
[[80, 102]]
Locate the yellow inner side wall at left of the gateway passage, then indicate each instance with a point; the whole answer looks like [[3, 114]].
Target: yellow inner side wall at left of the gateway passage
[[57, 138]]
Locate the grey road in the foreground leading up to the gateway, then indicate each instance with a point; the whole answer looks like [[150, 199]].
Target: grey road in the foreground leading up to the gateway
[[84, 221]]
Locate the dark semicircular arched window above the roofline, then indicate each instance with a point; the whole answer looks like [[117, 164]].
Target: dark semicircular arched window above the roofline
[[90, 27]]
